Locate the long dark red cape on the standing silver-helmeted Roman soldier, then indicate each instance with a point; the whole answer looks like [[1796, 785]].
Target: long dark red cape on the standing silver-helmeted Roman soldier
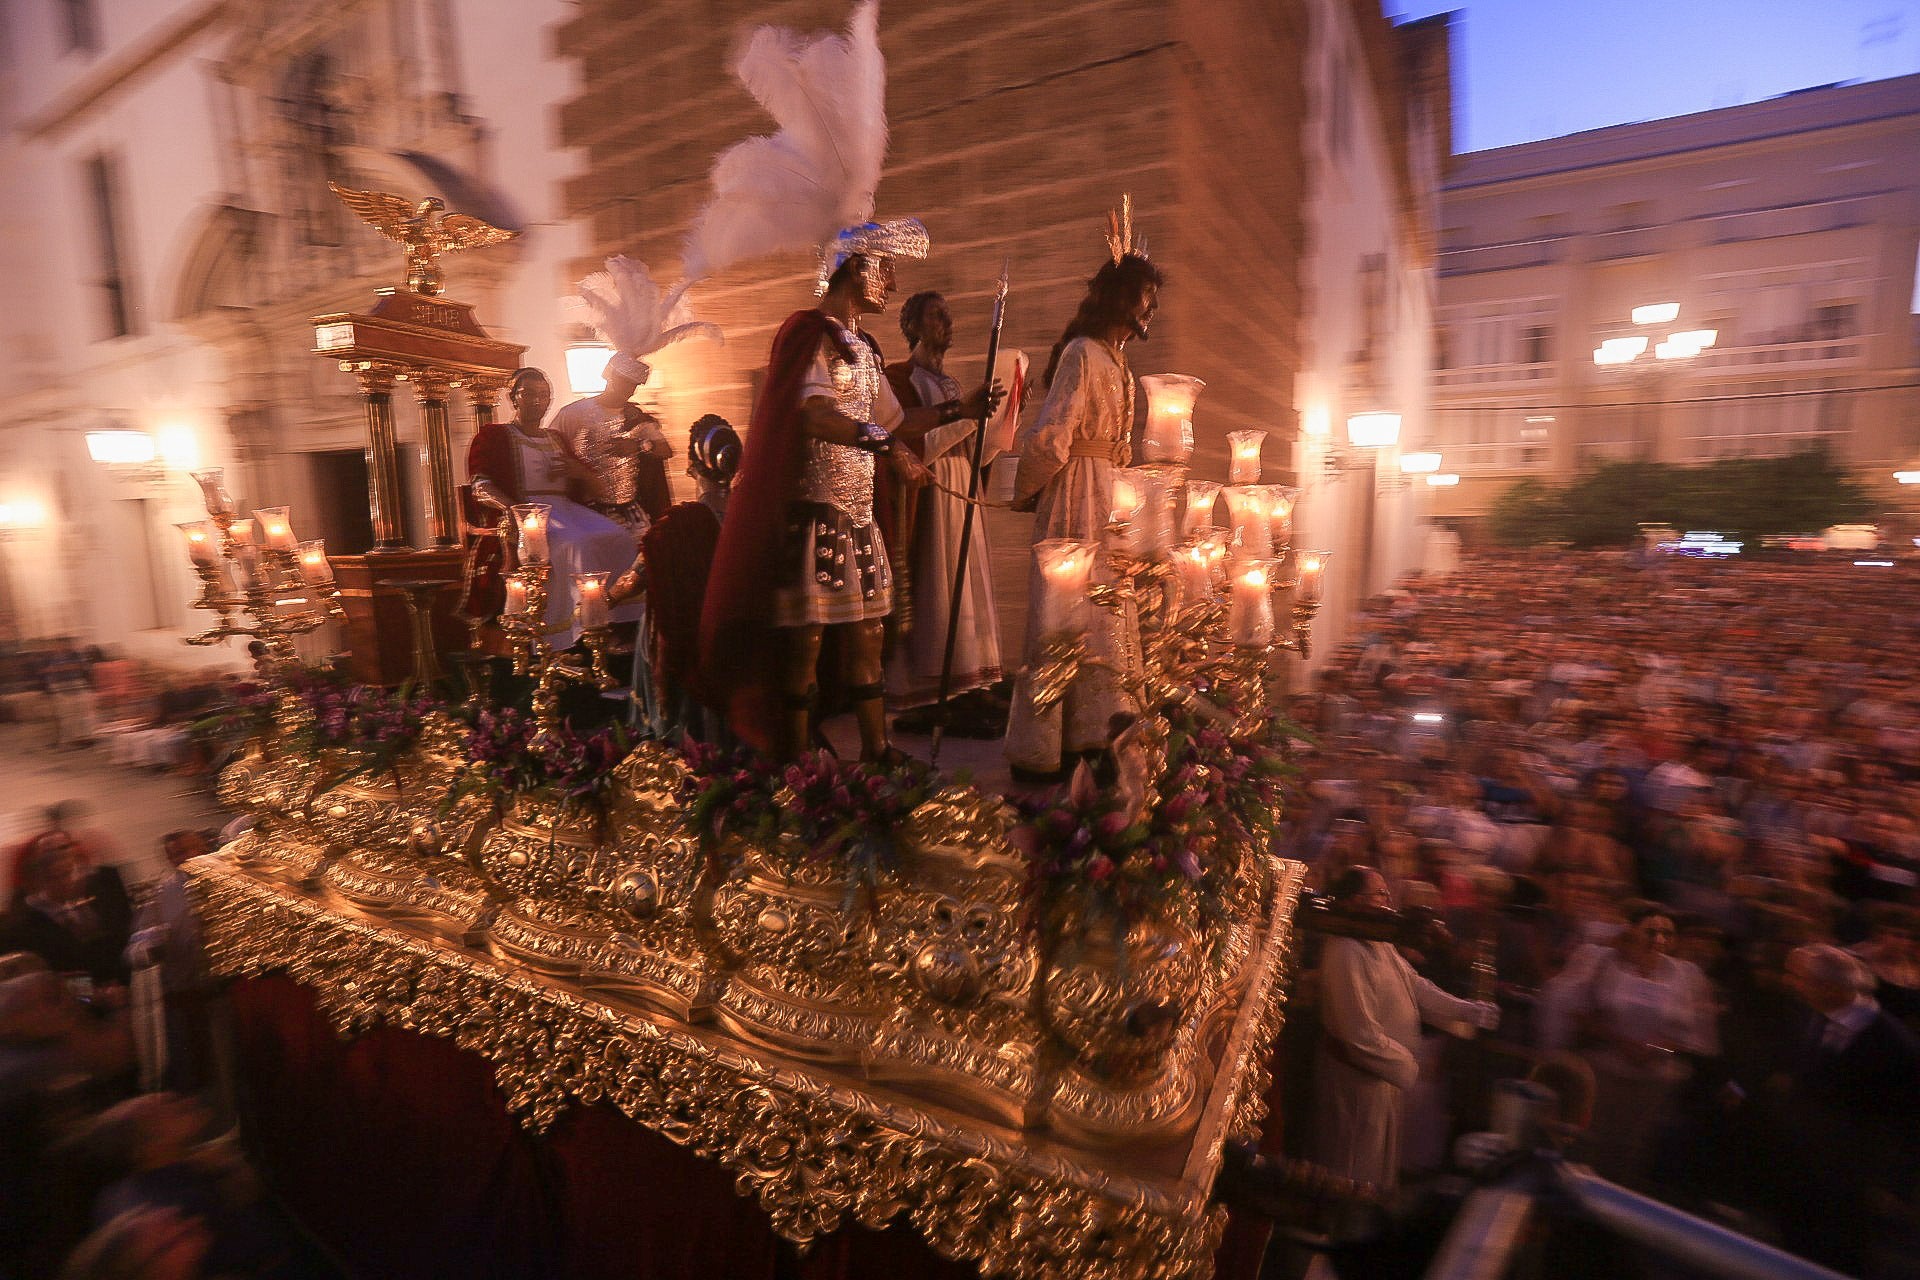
[[740, 673]]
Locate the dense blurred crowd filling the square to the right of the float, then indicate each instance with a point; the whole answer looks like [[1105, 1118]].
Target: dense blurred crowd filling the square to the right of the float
[[1668, 815]]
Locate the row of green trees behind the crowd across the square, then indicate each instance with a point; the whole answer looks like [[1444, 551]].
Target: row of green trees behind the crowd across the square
[[1744, 498]]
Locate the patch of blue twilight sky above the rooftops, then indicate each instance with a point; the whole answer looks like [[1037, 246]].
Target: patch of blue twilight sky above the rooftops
[[1529, 70]]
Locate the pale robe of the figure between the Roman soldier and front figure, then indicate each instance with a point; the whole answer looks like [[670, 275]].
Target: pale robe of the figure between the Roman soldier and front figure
[[915, 676]]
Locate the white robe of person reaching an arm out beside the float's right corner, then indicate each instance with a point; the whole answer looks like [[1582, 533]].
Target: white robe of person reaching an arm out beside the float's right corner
[[1372, 1008]]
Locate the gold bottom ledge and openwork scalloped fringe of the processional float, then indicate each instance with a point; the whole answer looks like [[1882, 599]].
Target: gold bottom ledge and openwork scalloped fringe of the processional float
[[813, 1147]]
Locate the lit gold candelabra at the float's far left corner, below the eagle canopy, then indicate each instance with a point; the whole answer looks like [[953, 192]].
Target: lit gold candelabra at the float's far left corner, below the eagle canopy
[[256, 577]]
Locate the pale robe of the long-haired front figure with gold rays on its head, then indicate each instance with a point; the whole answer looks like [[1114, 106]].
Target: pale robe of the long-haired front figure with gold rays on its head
[[1090, 404]]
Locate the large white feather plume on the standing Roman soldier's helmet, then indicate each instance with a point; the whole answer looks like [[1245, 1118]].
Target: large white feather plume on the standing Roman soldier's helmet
[[800, 187]]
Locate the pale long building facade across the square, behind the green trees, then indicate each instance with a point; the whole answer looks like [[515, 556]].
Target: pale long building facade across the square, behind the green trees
[[1790, 227]]
